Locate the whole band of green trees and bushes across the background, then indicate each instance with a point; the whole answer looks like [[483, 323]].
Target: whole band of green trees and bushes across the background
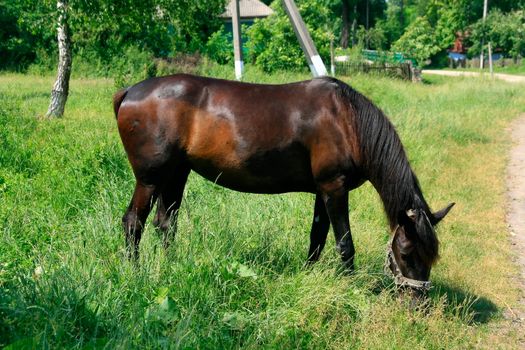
[[105, 33]]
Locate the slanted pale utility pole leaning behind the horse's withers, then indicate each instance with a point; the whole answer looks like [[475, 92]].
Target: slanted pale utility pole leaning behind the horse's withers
[[315, 62]]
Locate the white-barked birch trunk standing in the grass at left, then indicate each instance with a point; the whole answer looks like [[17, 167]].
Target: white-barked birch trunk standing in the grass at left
[[61, 87]]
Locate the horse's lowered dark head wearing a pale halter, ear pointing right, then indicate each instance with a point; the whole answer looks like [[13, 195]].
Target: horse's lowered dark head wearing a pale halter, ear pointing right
[[414, 249]]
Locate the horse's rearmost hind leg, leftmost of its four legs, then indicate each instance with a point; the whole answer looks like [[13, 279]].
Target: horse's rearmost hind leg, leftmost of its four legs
[[136, 215]]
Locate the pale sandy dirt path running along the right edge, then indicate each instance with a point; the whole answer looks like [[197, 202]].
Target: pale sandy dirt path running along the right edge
[[516, 211]]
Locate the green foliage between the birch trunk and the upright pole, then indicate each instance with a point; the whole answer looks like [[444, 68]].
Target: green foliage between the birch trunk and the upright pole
[[162, 27]]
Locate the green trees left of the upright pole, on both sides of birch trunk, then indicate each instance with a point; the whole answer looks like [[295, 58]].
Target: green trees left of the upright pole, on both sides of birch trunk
[[104, 29]]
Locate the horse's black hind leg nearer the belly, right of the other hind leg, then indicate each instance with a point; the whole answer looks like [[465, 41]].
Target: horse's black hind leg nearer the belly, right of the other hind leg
[[168, 204]]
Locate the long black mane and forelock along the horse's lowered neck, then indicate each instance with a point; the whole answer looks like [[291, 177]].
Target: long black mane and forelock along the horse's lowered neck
[[386, 165]]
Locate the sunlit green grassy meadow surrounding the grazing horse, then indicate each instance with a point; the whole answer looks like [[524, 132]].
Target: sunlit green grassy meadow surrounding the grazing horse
[[236, 276]]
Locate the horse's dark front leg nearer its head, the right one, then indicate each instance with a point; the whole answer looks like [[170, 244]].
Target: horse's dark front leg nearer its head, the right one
[[335, 197]]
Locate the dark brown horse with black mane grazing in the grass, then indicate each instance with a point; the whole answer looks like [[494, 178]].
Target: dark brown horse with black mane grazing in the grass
[[319, 136]]
